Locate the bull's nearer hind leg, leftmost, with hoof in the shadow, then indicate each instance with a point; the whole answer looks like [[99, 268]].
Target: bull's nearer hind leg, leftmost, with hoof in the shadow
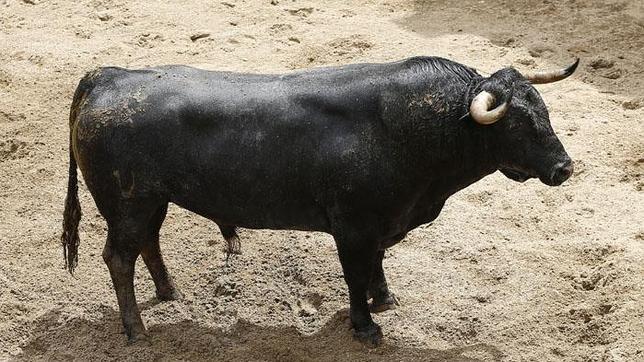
[[128, 232]]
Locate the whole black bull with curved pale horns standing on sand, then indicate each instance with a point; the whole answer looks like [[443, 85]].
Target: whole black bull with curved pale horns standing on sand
[[363, 152]]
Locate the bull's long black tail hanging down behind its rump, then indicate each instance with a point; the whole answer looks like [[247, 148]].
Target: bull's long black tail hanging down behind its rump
[[72, 213]]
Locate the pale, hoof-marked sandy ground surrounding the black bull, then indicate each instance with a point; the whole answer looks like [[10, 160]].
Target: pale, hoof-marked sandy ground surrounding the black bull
[[508, 272]]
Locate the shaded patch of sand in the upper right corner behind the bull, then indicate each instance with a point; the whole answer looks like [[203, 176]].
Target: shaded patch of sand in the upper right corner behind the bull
[[557, 31]]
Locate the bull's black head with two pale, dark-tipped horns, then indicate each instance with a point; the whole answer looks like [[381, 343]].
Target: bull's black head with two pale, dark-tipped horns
[[525, 143]]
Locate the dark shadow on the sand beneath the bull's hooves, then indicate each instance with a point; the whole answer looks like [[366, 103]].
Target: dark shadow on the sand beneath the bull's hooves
[[99, 339]]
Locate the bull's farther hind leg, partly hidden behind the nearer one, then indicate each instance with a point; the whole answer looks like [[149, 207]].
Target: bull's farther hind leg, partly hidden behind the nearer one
[[151, 253]]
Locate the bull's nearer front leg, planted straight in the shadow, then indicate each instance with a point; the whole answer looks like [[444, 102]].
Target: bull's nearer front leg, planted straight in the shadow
[[357, 257]]
